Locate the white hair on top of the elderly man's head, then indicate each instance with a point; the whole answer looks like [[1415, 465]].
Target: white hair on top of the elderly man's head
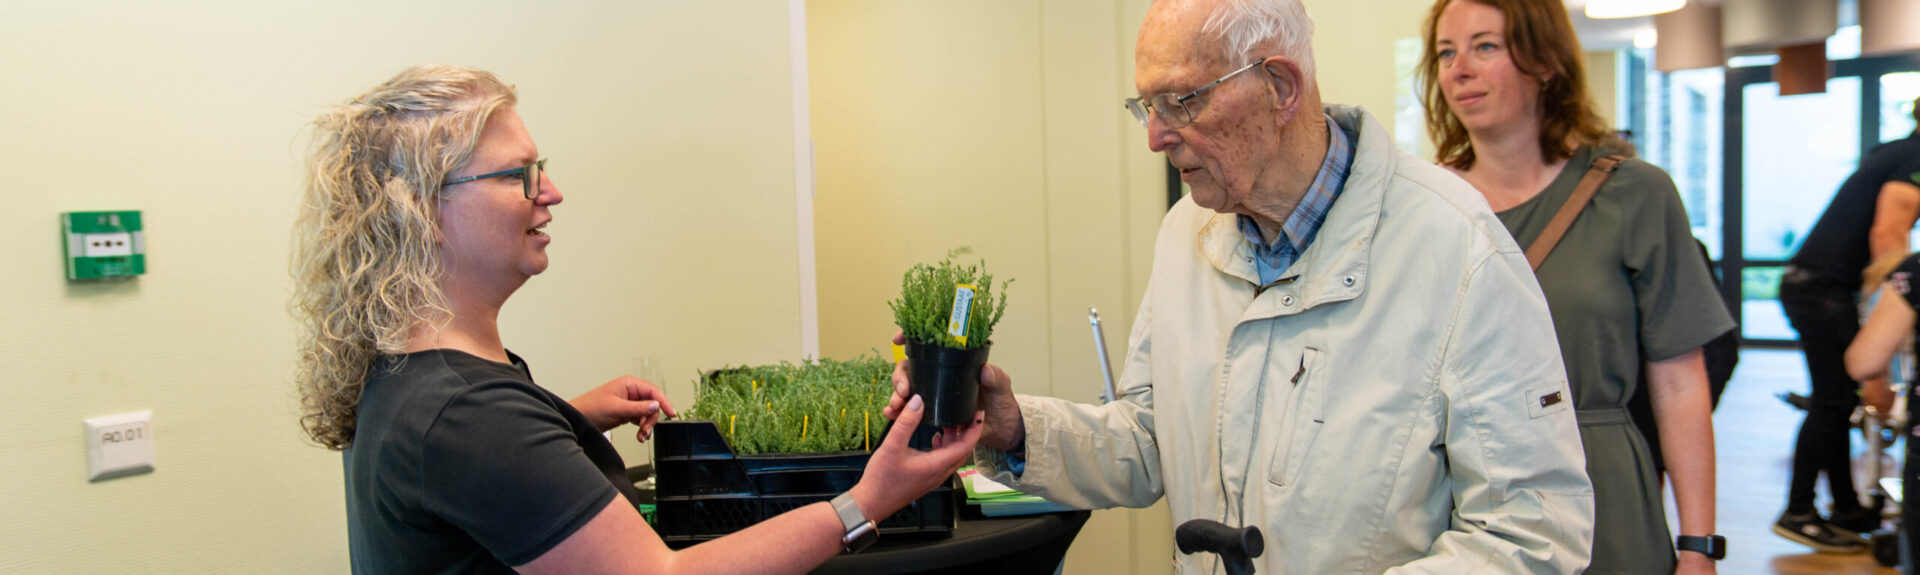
[[1251, 30]]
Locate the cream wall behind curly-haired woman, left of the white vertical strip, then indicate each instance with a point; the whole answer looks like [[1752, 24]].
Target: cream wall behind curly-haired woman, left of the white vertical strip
[[671, 132]]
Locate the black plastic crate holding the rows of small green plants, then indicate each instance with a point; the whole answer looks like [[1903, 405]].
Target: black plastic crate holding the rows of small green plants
[[706, 491]]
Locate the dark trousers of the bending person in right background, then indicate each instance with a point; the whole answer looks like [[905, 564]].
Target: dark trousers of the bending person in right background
[[1827, 318]]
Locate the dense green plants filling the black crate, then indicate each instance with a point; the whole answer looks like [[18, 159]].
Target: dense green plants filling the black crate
[[811, 409]]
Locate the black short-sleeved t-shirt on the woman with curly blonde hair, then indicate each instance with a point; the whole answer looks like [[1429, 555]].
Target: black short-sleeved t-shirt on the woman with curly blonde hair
[[466, 466]]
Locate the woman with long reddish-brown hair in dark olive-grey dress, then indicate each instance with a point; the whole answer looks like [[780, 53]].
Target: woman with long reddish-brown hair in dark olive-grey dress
[[1508, 111]]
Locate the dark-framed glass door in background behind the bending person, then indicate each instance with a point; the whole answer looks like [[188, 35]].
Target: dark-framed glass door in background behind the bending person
[[1787, 159]]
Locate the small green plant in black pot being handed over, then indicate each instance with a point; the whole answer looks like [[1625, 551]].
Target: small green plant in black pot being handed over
[[948, 314]]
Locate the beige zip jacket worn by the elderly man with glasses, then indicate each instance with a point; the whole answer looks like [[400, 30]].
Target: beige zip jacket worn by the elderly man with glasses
[[1395, 405]]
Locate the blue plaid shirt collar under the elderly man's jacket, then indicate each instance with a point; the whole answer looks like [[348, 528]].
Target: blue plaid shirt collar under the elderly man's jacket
[[1274, 257]]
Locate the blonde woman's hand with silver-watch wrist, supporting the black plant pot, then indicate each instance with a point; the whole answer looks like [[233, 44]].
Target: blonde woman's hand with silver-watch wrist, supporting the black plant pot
[[898, 474]]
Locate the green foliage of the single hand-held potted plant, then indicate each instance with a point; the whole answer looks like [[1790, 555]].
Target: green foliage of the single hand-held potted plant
[[928, 297]]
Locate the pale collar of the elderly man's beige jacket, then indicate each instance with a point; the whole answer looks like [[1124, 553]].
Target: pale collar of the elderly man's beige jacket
[[1345, 241]]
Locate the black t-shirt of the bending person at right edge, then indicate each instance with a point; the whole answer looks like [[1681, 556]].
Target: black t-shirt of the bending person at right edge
[[1836, 247]]
